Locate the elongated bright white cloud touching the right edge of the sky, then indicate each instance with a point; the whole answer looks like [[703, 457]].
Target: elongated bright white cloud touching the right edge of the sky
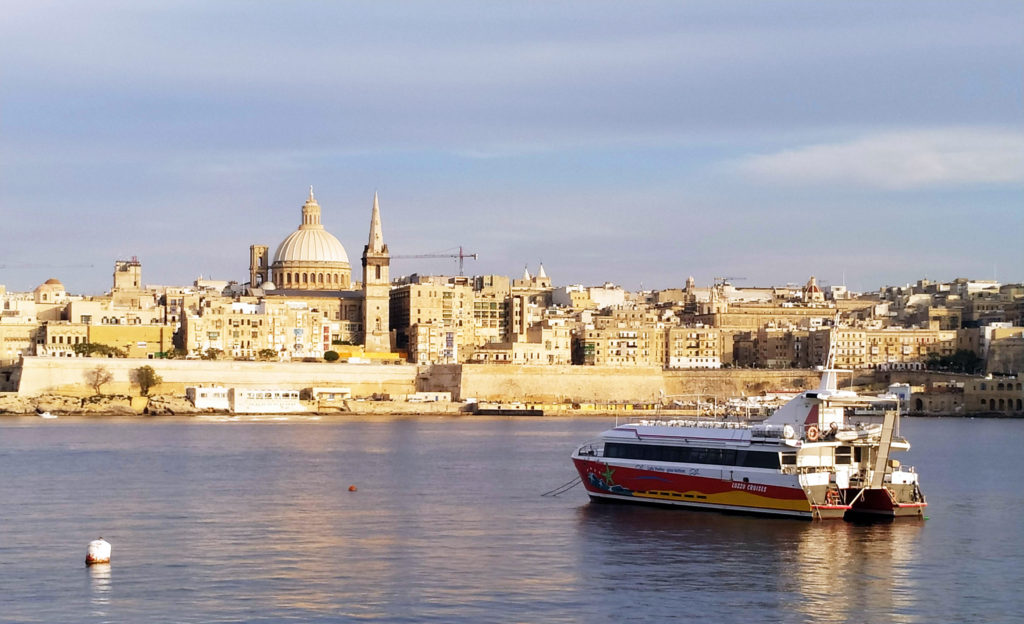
[[900, 161]]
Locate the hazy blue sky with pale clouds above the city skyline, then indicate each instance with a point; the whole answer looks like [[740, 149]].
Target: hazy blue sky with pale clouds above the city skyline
[[868, 144]]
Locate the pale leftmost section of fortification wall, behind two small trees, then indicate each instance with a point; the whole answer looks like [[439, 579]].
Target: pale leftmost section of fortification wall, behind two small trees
[[67, 376]]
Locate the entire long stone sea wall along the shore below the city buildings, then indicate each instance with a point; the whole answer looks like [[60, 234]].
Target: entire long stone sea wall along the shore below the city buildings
[[483, 382]]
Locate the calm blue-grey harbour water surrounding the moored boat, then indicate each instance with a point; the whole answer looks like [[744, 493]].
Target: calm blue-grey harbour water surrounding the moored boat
[[253, 522]]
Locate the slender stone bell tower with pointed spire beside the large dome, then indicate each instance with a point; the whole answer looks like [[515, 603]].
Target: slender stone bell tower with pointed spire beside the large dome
[[376, 288]]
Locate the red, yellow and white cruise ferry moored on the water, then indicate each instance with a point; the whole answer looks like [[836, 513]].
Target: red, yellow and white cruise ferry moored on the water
[[810, 460]]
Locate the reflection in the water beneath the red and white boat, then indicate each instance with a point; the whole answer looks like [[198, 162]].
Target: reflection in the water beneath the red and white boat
[[724, 564]]
